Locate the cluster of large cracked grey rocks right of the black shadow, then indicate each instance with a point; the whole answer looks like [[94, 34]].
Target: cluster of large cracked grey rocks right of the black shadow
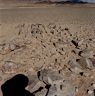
[[52, 84]]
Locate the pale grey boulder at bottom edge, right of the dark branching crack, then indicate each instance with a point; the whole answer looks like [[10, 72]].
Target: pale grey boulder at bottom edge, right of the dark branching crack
[[62, 88]]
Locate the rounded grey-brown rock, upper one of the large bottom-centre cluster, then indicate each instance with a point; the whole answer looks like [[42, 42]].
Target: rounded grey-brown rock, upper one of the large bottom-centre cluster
[[50, 77]]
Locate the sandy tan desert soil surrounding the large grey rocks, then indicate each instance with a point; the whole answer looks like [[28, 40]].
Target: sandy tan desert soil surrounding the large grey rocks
[[29, 41]]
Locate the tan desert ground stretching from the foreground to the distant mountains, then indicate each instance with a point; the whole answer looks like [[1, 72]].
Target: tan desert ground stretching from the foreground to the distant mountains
[[58, 42]]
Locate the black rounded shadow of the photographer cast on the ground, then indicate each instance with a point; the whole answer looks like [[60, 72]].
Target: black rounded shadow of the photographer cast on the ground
[[16, 86]]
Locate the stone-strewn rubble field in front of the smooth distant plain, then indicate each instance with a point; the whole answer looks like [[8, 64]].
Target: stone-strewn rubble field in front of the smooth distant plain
[[55, 60]]
